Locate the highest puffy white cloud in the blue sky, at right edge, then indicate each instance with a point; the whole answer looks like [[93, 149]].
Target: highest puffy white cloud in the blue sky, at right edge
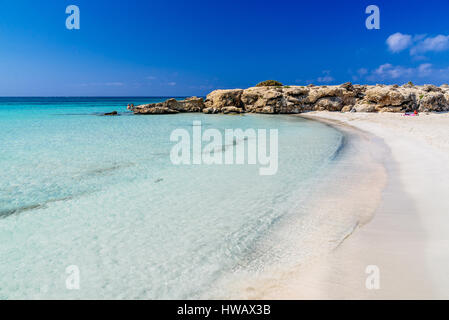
[[418, 44]]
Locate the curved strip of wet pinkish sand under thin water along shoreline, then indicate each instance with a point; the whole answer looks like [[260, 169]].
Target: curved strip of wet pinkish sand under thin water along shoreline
[[343, 198]]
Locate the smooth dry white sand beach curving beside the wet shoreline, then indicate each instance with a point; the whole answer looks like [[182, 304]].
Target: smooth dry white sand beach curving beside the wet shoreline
[[408, 236]]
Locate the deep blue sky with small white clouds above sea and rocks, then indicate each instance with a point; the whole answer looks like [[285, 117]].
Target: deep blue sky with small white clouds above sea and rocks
[[163, 48]]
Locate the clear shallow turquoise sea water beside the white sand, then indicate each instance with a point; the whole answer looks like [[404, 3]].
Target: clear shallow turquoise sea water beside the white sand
[[101, 193]]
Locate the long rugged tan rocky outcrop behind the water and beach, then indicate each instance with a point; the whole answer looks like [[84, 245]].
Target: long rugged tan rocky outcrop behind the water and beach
[[297, 99]]
